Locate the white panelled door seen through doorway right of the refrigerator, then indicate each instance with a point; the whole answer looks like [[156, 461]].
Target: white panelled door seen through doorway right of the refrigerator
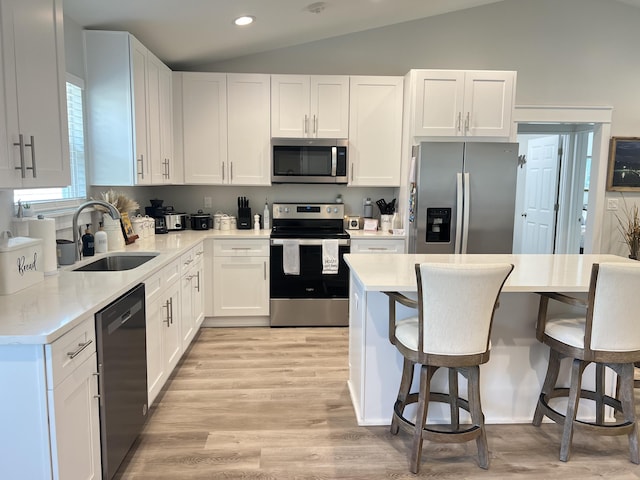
[[540, 195]]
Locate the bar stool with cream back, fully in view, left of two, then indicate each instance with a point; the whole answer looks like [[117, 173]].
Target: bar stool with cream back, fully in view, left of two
[[456, 303]]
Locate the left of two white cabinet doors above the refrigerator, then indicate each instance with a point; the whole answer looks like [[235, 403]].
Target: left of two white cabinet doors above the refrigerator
[[439, 98]]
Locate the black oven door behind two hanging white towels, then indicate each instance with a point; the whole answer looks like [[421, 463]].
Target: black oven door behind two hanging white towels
[[311, 283]]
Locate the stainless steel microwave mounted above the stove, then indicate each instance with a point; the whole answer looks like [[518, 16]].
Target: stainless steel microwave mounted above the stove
[[309, 160]]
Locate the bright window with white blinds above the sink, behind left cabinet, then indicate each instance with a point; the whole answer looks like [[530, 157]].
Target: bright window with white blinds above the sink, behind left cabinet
[[47, 198]]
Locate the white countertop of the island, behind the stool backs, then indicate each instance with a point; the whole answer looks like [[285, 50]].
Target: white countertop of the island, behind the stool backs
[[531, 273]]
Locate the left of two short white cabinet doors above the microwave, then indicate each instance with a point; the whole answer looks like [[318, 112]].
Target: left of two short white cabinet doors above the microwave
[[290, 106]]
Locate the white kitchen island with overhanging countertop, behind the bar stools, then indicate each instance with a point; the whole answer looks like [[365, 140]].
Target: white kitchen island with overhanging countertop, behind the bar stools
[[510, 381]]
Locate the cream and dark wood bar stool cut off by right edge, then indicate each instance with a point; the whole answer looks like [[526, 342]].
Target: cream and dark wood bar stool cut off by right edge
[[608, 335]]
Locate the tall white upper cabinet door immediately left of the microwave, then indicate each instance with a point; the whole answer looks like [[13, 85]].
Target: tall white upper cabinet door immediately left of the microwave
[[248, 134]]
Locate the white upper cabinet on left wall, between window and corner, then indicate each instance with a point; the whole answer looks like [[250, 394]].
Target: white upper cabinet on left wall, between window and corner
[[129, 116]]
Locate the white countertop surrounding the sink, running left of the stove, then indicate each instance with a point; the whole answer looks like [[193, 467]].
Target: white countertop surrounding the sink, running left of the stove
[[47, 310]]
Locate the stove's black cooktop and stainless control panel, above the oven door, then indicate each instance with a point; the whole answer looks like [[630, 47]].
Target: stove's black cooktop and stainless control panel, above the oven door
[[308, 220]]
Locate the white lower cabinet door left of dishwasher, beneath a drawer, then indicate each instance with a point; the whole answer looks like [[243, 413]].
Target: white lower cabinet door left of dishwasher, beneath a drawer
[[75, 425]]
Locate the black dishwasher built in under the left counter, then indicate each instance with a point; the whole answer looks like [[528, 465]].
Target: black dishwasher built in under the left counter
[[122, 379]]
